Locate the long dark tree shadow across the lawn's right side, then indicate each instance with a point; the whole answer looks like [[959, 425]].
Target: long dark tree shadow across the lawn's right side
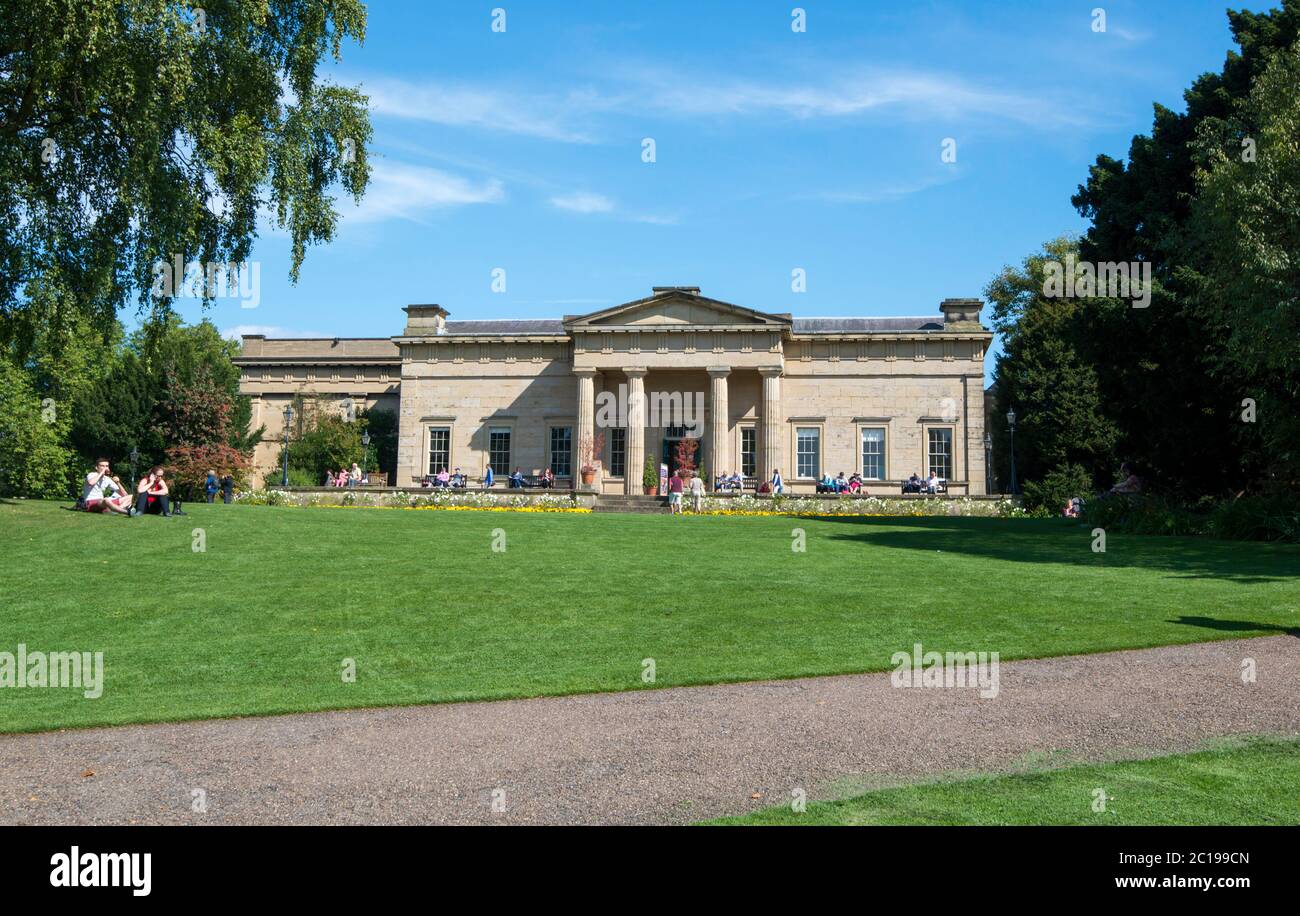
[[1061, 541]]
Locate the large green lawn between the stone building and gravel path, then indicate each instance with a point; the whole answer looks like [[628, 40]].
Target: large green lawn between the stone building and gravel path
[[262, 622]]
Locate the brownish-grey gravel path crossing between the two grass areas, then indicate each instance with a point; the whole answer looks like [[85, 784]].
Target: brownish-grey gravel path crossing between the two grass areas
[[651, 757]]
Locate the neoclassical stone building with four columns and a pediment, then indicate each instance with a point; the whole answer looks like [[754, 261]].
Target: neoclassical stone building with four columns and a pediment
[[881, 397]]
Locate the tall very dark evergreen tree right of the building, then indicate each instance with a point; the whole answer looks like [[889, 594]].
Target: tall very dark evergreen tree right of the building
[[1162, 371]]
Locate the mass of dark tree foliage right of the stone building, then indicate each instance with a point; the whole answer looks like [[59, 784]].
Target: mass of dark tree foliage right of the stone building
[[1167, 385]]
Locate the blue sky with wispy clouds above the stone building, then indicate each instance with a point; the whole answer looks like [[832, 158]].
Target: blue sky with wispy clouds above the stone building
[[774, 151]]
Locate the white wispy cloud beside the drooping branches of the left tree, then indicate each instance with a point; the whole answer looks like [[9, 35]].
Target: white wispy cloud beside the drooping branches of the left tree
[[404, 192]]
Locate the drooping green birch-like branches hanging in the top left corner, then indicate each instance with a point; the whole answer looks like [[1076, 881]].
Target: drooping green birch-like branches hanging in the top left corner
[[140, 132]]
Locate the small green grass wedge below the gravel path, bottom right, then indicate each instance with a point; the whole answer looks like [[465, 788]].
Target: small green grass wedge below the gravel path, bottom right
[[1242, 784]]
